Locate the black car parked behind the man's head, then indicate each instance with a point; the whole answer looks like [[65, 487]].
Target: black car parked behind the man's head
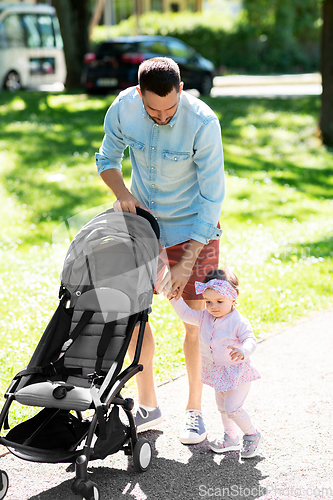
[[115, 63]]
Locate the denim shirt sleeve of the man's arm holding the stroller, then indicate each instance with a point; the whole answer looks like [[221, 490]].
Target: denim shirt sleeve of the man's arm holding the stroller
[[112, 149]]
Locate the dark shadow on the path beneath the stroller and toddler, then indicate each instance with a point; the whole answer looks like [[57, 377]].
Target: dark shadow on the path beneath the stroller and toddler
[[204, 475]]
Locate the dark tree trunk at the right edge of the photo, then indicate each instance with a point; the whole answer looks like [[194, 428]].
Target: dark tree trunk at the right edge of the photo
[[326, 115]]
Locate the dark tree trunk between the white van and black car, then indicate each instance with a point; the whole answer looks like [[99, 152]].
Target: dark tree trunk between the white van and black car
[[74, 16]]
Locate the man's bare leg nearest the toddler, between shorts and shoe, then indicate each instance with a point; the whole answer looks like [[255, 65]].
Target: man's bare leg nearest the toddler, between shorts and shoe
[[193, 359]]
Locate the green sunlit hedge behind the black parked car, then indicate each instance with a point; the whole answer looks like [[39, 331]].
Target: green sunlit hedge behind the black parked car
[[232, 44]]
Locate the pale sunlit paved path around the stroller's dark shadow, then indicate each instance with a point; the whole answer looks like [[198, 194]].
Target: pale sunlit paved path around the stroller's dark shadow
[[292, 404]]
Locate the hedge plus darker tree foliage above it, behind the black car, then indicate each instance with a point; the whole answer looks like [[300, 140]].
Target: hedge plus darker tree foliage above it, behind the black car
[[262, 39]]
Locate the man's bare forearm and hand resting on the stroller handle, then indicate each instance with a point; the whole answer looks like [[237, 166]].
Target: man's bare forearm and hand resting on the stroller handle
[[126, 202]]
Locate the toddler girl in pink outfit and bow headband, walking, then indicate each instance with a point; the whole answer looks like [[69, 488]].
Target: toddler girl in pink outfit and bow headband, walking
[[226, 342]]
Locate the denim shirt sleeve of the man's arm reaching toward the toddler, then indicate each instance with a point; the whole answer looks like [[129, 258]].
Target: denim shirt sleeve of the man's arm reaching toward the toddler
[[208, 157]]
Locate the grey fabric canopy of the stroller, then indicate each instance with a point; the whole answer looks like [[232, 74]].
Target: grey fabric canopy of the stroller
[[115, 250]]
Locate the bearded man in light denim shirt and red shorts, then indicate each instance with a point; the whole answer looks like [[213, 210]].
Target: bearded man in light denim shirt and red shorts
[[176, 153]]
